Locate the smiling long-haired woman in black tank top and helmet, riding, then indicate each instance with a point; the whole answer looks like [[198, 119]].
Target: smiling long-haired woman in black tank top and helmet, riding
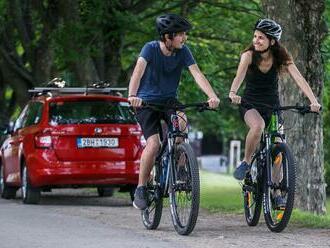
[[260, 66]]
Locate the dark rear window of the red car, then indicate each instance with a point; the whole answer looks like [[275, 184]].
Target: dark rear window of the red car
[[90, 112]]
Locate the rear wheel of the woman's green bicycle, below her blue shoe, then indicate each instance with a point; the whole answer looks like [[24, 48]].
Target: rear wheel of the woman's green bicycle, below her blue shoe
[[252, 193]]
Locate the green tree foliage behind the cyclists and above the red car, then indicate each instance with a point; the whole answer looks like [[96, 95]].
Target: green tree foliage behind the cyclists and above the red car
[[111, 34]]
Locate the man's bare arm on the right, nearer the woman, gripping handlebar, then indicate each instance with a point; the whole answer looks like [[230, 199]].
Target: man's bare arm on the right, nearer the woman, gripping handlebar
[[204, 84]]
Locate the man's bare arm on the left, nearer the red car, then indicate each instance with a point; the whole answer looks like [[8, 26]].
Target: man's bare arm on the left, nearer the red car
[[135, 82]]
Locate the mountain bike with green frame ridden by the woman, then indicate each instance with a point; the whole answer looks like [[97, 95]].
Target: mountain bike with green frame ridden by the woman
[[272, 174]]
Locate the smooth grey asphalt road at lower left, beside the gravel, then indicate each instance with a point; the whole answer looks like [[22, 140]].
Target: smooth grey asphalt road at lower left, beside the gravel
[[46, 226]]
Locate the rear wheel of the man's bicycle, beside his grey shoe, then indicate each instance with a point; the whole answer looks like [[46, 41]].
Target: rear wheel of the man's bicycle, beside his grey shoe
[[152, 214]]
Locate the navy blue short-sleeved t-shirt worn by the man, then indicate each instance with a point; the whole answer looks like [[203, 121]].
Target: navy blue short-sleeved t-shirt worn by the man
[[162, 75]]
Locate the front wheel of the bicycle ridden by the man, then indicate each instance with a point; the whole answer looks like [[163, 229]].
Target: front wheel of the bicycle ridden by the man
[[185, 189]]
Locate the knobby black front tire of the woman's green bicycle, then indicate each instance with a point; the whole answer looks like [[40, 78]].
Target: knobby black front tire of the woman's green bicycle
[[277, 219]]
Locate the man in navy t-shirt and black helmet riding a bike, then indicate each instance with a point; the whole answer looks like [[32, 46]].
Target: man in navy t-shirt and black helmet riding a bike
[[155, 79]]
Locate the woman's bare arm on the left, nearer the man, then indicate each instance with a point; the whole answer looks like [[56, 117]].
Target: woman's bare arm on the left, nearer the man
[[246, 60]]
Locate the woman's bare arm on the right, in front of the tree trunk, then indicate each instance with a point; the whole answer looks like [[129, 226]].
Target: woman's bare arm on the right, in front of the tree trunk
[[304, 86]]
